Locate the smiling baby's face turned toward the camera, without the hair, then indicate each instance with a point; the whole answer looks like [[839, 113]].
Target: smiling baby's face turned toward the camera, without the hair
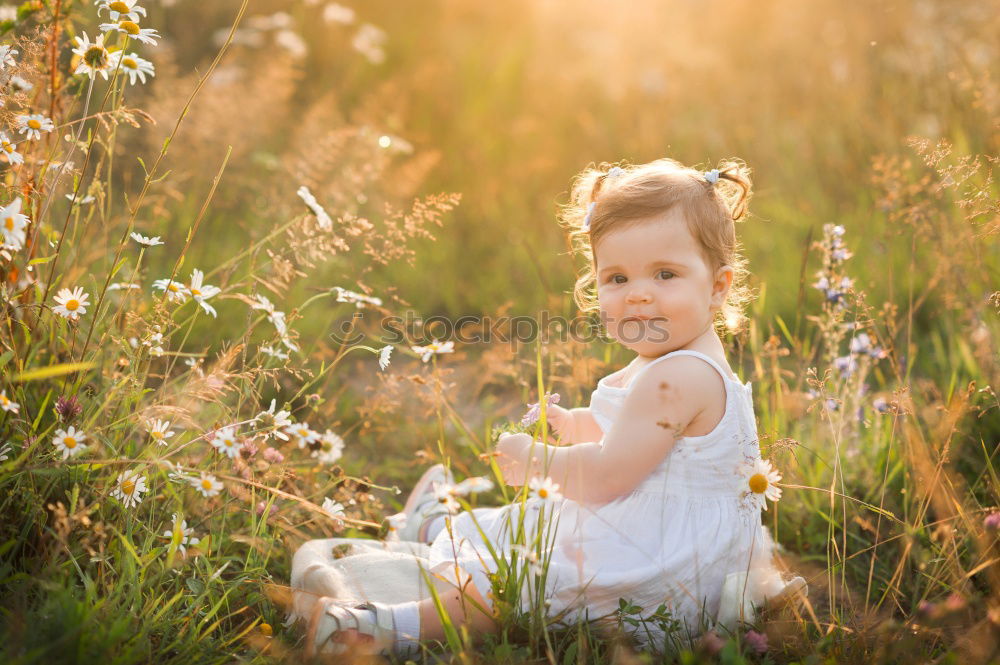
[[655, 269]]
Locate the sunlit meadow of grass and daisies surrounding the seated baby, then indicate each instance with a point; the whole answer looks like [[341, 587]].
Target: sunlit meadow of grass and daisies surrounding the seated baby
[[232, 229]]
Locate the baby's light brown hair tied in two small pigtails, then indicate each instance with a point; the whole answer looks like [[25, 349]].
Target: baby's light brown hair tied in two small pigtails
[[612, 197]]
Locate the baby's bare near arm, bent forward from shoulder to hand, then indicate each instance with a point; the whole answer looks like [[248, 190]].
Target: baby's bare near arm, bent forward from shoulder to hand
[[665, 399]]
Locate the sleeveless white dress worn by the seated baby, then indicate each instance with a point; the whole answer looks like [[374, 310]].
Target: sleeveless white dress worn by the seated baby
[[687, 536]]
